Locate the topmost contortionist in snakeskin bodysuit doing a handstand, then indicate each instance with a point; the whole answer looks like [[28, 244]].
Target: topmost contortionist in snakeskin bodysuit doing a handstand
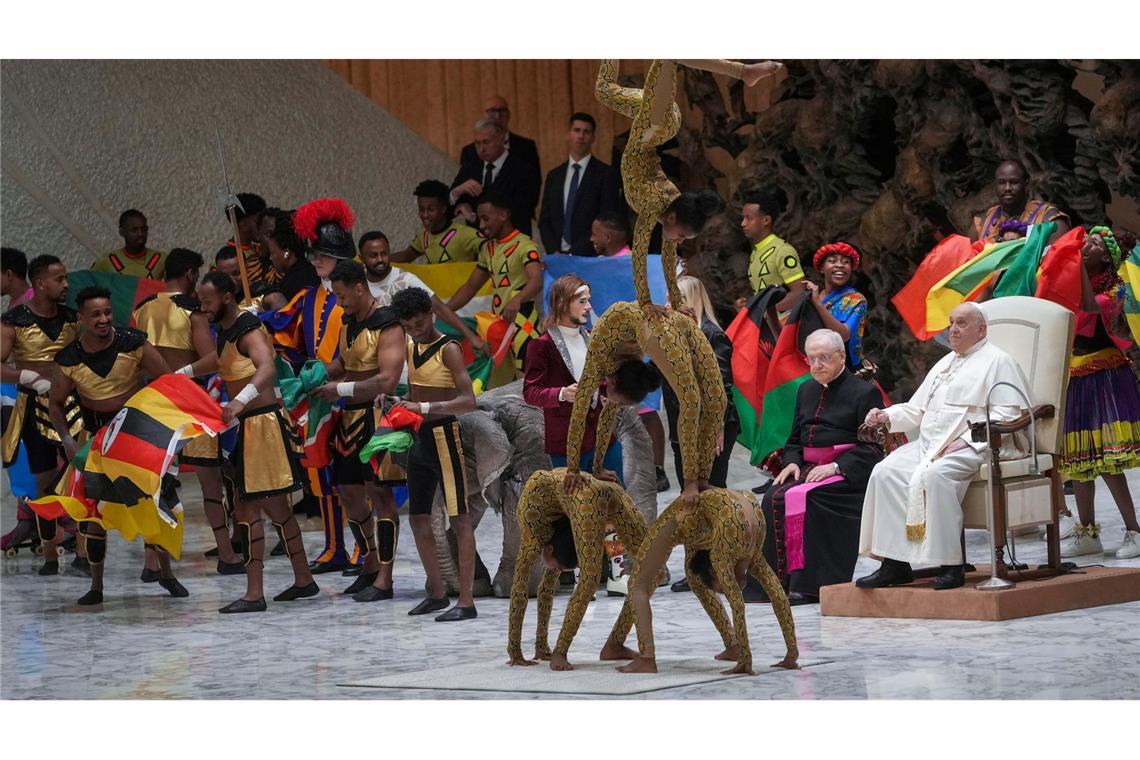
[[655, 198]]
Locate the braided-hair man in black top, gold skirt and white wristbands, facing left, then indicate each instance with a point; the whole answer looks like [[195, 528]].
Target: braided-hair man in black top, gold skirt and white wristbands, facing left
[[267, 454]]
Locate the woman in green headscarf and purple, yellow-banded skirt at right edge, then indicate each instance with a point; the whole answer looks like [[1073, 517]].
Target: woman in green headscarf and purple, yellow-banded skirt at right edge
[[1103, 404]]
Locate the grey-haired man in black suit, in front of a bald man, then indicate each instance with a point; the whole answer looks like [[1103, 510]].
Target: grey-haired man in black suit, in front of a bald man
[[500, 170]]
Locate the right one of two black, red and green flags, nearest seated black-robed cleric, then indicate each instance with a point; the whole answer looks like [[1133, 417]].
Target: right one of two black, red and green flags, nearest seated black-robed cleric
[[787, 372]]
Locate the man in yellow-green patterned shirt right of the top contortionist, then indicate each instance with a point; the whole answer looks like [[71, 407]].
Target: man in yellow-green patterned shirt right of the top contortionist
[[773, 261]]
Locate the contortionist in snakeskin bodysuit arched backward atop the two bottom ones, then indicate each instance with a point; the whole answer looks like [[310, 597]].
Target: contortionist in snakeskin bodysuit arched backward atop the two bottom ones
[[683, 355]]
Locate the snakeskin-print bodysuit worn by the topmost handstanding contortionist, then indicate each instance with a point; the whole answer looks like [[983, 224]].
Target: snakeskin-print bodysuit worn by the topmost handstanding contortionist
[[649, 192]]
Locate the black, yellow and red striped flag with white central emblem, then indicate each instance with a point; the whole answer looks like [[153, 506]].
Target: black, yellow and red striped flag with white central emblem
[[125, 479]]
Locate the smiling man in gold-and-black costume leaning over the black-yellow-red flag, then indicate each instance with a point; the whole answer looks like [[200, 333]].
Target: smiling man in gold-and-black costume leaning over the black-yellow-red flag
[[105, 366]]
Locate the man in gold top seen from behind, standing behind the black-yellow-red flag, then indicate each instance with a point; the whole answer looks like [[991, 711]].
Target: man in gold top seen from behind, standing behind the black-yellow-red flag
[[176, 326]]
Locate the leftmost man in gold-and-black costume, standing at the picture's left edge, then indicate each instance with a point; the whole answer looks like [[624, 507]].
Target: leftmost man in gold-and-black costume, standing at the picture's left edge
[[31, 336]]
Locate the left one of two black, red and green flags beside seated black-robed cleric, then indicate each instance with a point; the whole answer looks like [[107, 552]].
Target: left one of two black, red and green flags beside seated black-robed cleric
[[754, 336]]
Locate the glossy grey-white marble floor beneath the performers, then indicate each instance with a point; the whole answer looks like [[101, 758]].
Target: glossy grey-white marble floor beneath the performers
[[145, 645]]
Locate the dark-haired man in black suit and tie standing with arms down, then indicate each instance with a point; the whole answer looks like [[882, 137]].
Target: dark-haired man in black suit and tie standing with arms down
[[577, 192]]
